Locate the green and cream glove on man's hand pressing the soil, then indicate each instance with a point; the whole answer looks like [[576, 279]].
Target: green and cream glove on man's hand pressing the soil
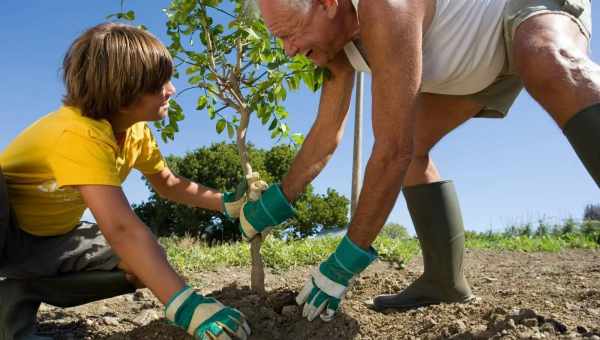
[[329, 282]]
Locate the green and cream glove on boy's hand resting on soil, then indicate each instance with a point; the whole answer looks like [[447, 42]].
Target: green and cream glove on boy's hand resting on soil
[[204, 317]]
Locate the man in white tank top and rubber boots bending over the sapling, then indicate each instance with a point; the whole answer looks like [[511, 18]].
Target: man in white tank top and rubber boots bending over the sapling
[[434, 65]]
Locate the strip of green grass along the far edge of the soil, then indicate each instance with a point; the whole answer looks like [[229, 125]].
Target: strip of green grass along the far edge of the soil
[[188, 254]]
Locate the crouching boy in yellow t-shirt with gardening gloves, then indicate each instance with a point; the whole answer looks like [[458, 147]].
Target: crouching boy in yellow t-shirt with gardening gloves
[[117, 77]]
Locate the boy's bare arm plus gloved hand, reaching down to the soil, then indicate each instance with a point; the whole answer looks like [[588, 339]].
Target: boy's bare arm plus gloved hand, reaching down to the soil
[[200, 316]]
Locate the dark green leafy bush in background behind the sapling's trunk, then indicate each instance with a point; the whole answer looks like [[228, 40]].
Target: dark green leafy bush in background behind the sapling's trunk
[[217, 166]]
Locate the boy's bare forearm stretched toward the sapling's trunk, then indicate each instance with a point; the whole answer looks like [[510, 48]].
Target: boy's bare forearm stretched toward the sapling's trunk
[[181, 190]]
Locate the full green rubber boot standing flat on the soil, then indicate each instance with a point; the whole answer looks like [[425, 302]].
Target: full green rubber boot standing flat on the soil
[[437, 219]]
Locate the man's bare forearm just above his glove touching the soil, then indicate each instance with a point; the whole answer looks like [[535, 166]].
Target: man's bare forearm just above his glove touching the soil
[[383, 181]]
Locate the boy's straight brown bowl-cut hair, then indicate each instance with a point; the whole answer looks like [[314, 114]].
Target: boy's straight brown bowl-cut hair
[[110, 66]]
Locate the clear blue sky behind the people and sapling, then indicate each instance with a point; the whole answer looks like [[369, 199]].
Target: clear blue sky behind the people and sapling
[[516, 170]]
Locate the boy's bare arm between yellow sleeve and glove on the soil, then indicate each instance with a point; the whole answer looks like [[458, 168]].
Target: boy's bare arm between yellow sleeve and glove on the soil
[[131, 240]]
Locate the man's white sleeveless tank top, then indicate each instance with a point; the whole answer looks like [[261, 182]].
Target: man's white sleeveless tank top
[[463, 50]]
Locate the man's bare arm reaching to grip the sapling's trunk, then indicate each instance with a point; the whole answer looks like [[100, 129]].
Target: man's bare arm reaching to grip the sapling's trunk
[[326, 132]]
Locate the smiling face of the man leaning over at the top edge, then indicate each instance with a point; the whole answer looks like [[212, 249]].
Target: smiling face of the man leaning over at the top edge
[[309, 32]]
